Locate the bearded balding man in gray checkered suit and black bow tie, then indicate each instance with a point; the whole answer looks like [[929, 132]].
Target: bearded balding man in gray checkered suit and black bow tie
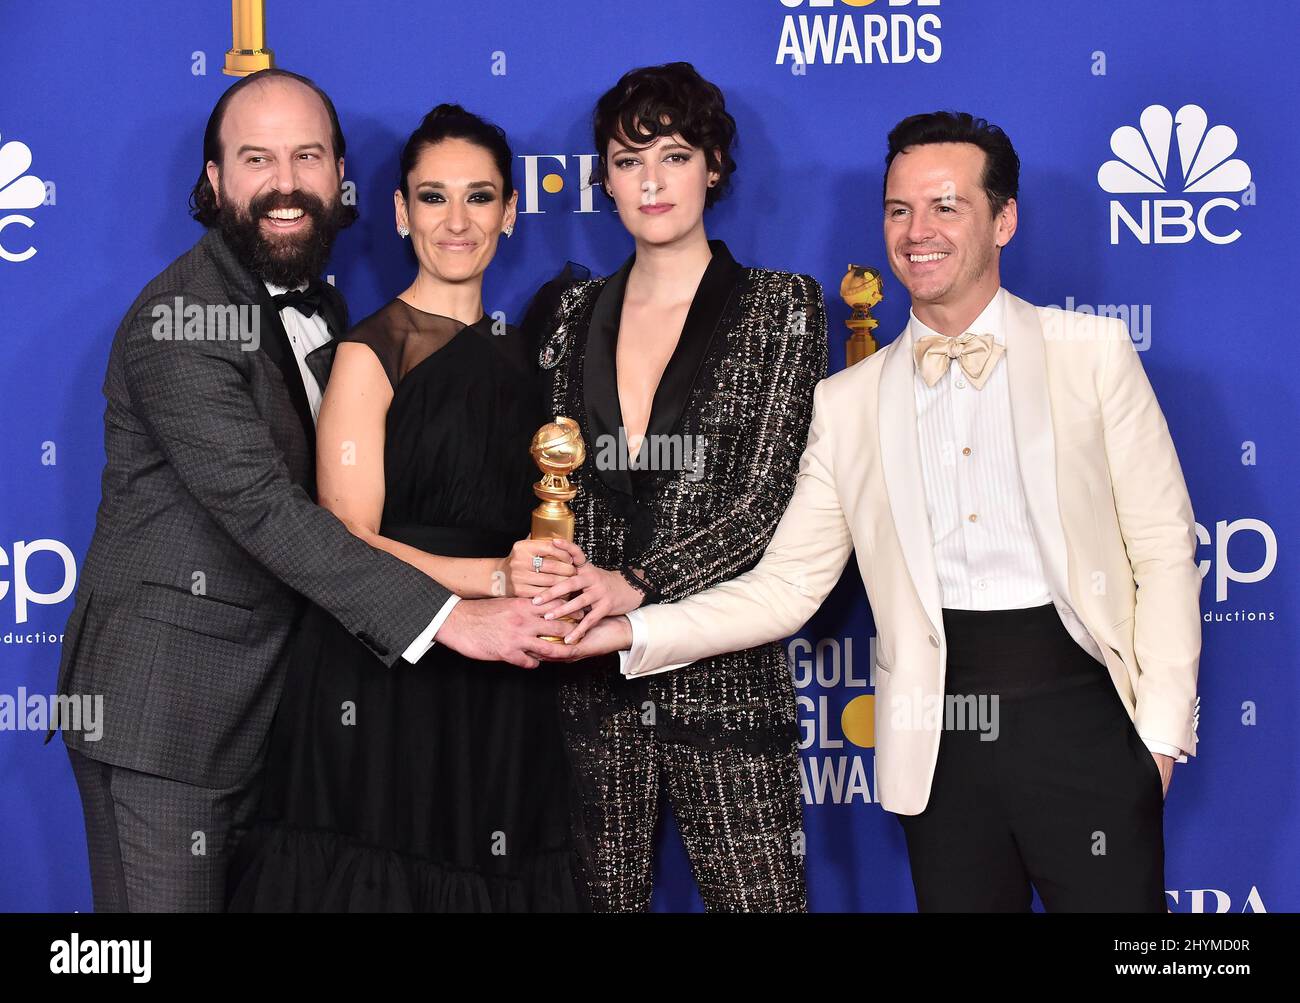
[[209, 542]]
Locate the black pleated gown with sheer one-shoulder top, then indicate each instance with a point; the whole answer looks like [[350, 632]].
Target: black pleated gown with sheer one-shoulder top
[[440, 787]]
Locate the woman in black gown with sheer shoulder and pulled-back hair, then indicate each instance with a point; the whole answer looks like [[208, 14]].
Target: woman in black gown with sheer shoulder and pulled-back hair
[[441, 785]]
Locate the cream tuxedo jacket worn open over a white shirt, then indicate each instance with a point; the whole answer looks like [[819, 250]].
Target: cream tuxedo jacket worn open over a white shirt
[[1108, 506]]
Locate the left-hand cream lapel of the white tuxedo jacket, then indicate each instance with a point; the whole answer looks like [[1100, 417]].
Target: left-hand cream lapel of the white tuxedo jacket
[[900, 461]]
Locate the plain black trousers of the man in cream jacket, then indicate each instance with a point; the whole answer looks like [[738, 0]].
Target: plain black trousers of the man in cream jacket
[[1064, 796]]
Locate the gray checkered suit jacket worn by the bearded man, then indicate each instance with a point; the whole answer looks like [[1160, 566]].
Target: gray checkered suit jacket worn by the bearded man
[[207, 540]]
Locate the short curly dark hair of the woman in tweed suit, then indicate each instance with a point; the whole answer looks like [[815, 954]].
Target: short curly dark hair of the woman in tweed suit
[[655, 102]]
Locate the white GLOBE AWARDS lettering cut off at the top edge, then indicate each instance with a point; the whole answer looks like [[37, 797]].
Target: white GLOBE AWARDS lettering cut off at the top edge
[[839, 32]]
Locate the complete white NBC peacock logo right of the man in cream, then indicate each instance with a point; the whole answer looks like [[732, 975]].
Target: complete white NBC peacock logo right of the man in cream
[[1206, 166]]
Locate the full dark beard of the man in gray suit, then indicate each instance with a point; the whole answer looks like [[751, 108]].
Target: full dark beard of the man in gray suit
[[291, 259]]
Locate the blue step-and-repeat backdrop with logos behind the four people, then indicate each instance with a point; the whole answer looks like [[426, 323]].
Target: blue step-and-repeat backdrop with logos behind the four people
[[1156, 138]]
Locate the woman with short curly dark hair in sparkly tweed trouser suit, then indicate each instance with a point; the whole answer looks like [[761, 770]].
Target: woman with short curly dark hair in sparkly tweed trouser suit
[[703, 371]]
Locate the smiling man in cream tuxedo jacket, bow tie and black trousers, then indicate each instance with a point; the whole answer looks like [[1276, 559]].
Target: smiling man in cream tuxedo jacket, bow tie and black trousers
[[1008, 483]]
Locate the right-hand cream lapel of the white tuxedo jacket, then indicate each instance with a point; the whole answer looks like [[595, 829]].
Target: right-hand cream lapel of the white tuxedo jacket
[[1035, 444]]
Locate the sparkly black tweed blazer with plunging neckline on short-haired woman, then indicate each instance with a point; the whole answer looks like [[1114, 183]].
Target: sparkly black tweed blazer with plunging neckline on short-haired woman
[[714, 474]]
